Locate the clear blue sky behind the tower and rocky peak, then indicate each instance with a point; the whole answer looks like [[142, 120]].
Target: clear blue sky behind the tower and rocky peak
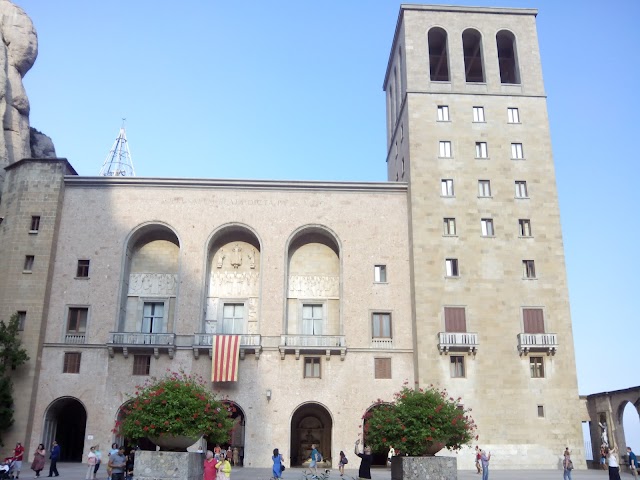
[[293, 90]]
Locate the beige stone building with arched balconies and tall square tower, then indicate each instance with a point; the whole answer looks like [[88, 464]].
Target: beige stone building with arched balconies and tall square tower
[[458, 280]]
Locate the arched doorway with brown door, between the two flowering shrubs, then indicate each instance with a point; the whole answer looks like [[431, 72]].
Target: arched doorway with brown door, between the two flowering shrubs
[[311, 424]]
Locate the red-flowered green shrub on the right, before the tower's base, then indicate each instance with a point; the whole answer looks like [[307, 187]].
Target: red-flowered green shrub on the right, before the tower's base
[[418, 421]]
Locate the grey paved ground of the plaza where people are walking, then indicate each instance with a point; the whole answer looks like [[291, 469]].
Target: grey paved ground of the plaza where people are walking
[[76, 471]]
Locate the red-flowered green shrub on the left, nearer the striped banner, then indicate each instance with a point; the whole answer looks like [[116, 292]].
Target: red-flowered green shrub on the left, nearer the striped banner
[[177, 405]]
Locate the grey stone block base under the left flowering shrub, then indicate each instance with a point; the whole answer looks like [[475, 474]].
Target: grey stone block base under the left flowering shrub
[[168, 465]]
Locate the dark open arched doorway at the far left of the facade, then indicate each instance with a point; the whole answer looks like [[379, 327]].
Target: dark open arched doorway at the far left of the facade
[[65, 421]]
